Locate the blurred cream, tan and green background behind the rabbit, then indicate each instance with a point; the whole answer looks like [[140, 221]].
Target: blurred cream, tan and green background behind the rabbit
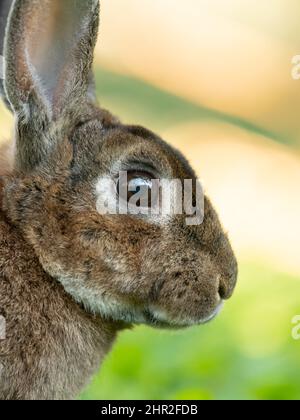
[[214, 78]]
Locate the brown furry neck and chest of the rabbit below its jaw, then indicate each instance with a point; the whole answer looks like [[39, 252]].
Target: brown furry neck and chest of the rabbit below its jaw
[[52, 346]]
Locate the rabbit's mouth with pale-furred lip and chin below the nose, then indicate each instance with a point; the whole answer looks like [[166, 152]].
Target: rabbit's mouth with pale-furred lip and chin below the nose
[[159, 319]]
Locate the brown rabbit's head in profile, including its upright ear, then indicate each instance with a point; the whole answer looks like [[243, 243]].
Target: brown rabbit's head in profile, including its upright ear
[[138, 268]]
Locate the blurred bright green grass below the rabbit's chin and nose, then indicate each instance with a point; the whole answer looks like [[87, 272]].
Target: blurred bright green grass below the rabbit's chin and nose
[[247, 353]]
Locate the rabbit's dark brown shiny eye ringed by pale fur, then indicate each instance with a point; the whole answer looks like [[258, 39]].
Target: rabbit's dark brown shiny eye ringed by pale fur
[[140, 189]]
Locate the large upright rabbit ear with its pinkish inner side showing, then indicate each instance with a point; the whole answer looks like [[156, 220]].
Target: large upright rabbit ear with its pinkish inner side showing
[[48, 52]]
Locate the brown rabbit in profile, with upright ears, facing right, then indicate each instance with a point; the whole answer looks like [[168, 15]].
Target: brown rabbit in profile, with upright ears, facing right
[[71, 278]]
